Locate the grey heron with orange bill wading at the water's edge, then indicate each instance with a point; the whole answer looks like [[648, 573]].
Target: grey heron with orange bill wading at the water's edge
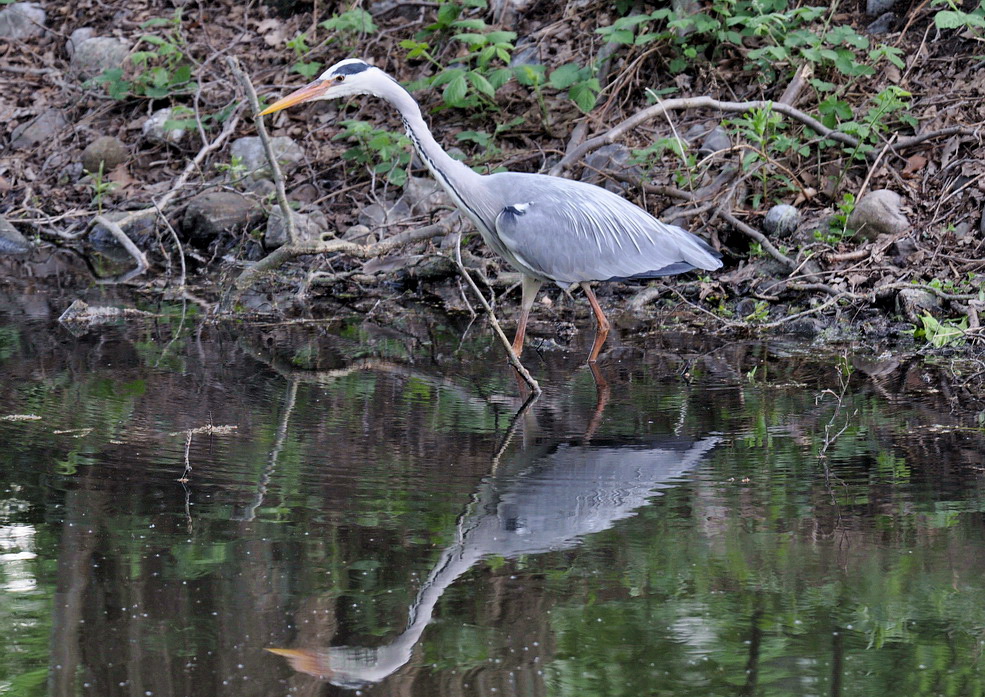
[[548, 228]]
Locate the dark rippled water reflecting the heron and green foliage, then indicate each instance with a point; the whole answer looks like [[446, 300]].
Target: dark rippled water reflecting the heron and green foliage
[[730, 519]]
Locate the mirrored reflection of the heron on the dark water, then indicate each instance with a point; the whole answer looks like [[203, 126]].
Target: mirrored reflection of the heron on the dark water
[[537, 505]]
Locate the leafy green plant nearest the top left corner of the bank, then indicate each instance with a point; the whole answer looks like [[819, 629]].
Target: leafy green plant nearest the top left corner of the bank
[[161, 71]]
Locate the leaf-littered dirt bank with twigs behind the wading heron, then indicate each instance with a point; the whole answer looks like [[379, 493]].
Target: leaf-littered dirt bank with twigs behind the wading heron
[[915, 121]]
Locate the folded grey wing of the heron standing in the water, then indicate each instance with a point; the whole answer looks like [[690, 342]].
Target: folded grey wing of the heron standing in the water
[[571, 232]]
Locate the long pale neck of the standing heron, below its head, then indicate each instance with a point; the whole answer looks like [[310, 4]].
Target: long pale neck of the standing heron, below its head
[[458, 179]]
